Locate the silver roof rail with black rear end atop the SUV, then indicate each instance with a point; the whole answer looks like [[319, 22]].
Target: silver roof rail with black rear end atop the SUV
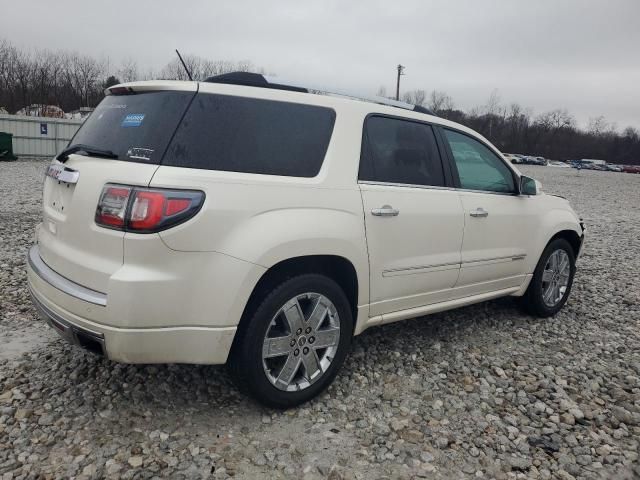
[[268, 81]]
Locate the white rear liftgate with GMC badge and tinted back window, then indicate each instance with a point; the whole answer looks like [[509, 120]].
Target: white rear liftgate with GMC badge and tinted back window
[[136, 128]]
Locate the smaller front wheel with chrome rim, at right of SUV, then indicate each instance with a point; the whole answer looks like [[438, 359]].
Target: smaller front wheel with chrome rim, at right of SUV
[[552, 280]]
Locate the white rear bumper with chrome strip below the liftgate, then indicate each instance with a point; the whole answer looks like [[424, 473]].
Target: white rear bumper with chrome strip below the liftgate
[[51, 293]]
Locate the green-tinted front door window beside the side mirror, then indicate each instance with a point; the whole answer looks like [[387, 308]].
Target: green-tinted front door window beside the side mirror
[[478, 167]]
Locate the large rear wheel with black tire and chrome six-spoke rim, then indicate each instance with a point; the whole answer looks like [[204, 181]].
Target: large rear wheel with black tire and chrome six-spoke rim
[[265, 379]]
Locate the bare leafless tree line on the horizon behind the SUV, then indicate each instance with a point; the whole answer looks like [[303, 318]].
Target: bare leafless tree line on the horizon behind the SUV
[[71, 80]]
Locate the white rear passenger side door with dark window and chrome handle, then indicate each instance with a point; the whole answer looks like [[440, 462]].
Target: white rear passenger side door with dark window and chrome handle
[[413, 223]]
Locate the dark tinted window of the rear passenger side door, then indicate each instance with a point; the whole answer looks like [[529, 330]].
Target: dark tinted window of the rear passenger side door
[[400, 151]]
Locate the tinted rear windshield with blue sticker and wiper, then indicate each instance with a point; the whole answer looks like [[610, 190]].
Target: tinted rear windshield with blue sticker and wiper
[[135, 127]]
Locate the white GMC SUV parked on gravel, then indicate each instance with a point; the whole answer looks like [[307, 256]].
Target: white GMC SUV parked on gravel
[[264, 225]]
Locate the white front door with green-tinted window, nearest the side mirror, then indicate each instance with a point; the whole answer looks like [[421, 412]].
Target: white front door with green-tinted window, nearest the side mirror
[[499, 223]]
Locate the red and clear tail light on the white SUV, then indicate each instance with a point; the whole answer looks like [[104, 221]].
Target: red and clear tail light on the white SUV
[[145, 210]]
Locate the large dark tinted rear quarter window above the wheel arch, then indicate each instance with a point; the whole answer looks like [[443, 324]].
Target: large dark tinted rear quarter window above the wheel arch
[[237, 134]]
